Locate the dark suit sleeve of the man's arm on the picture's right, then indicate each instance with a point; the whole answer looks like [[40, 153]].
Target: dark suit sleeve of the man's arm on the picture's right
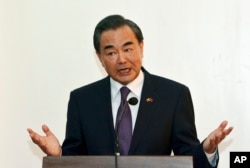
[[185, 141]]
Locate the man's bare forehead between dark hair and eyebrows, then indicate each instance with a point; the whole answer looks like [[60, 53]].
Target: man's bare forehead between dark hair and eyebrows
[[117, 36]]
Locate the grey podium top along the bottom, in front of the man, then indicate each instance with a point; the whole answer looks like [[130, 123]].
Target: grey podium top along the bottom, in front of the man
[[122, 162]]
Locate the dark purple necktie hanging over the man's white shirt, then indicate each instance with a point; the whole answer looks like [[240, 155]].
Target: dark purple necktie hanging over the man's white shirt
[[124, 122]]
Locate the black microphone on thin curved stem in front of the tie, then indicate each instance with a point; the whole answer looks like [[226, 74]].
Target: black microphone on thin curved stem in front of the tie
[[132, 101]]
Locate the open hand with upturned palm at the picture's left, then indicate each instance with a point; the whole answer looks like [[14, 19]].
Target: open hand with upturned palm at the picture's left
[[49, 143]]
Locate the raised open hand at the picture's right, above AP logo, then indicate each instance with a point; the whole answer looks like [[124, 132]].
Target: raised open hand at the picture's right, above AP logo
[[215, 137]]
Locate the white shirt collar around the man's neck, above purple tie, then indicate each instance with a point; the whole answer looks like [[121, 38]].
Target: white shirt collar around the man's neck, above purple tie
[[135, 86]]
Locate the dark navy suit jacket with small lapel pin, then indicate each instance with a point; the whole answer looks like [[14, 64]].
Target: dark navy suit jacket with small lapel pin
[[164, 124]]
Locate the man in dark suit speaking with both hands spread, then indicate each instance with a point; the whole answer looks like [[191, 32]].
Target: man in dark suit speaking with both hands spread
[[162, 120]]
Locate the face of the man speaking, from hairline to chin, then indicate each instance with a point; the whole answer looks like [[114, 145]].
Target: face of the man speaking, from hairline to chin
[[121, 54]]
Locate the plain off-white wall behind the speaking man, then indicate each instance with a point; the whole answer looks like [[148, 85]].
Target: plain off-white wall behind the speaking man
[[46, 51]]
